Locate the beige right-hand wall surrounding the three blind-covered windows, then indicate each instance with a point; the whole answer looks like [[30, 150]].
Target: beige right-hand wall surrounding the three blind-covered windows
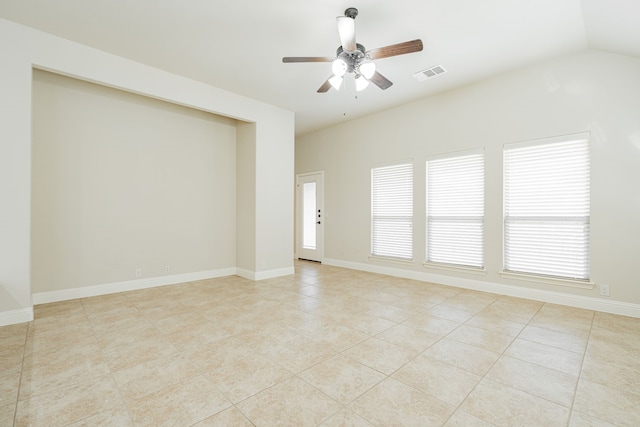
[[591, 91]]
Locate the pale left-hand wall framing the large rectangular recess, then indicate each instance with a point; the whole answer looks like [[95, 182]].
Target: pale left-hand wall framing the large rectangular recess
[[271, 193]]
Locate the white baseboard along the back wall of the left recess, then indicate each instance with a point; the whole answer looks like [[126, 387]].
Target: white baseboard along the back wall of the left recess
[[130, 285]]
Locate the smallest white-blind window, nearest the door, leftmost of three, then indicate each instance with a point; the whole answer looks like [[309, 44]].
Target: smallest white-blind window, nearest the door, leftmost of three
[[392, 211]]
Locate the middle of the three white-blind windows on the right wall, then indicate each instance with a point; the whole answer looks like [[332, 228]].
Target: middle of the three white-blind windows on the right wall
[[455, 209]]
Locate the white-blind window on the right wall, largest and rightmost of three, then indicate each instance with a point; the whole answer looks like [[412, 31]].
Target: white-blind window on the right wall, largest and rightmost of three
[[546, 207]]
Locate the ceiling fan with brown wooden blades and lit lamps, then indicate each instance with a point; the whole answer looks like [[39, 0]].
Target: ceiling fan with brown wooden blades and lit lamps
[[352, 57]]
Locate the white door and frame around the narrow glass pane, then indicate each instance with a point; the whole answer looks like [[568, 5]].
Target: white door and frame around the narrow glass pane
[[319, 252]]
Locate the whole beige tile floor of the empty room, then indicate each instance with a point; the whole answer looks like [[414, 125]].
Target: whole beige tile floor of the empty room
[[327, 346]]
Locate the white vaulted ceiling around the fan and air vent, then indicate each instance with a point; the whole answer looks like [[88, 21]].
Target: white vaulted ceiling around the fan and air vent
[[238, 45]]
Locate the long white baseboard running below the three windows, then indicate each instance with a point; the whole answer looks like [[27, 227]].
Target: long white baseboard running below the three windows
[[590, 303]]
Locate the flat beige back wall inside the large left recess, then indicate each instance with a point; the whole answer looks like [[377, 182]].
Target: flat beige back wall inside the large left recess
[[121, 182]]
